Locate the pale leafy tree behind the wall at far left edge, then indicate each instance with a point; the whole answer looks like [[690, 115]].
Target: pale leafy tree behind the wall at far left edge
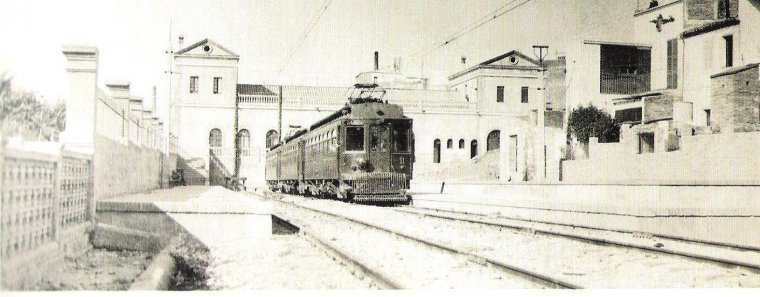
[[21, 113]]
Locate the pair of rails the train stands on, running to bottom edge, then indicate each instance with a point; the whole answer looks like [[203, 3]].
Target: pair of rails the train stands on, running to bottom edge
[[486, 265]]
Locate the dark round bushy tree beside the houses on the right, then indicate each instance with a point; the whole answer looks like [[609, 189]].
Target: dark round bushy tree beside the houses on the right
[[585, 122]]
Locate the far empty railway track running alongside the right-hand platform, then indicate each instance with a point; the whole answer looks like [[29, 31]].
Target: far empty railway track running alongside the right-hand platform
[[688, 249]]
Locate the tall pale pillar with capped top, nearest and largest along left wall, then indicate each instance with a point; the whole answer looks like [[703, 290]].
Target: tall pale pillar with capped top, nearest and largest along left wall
[[80, 95]]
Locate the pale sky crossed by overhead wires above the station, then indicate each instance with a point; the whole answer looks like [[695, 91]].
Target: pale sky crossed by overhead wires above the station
[[133, 36]]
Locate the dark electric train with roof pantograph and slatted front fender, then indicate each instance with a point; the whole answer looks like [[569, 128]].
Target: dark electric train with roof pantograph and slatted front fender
[[361, 153]]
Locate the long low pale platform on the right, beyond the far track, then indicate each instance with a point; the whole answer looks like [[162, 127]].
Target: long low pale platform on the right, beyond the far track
[[726, 215]]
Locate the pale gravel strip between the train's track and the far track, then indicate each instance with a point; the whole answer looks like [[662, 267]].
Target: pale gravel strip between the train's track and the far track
[[587, 264]]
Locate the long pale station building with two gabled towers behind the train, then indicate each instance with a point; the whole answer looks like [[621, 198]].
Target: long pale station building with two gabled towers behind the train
[[224, 127]]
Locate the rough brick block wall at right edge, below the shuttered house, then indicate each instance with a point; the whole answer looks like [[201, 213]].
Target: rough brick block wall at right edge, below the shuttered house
[[735, 100]]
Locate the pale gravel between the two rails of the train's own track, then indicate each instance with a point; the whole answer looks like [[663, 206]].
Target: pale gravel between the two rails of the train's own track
[[403, 261]]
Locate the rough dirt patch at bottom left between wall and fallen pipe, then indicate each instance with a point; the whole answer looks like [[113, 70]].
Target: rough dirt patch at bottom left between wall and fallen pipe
[[98, 269]]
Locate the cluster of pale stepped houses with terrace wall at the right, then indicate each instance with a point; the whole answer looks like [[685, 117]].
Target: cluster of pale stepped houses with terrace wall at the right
[[703, 90]]
